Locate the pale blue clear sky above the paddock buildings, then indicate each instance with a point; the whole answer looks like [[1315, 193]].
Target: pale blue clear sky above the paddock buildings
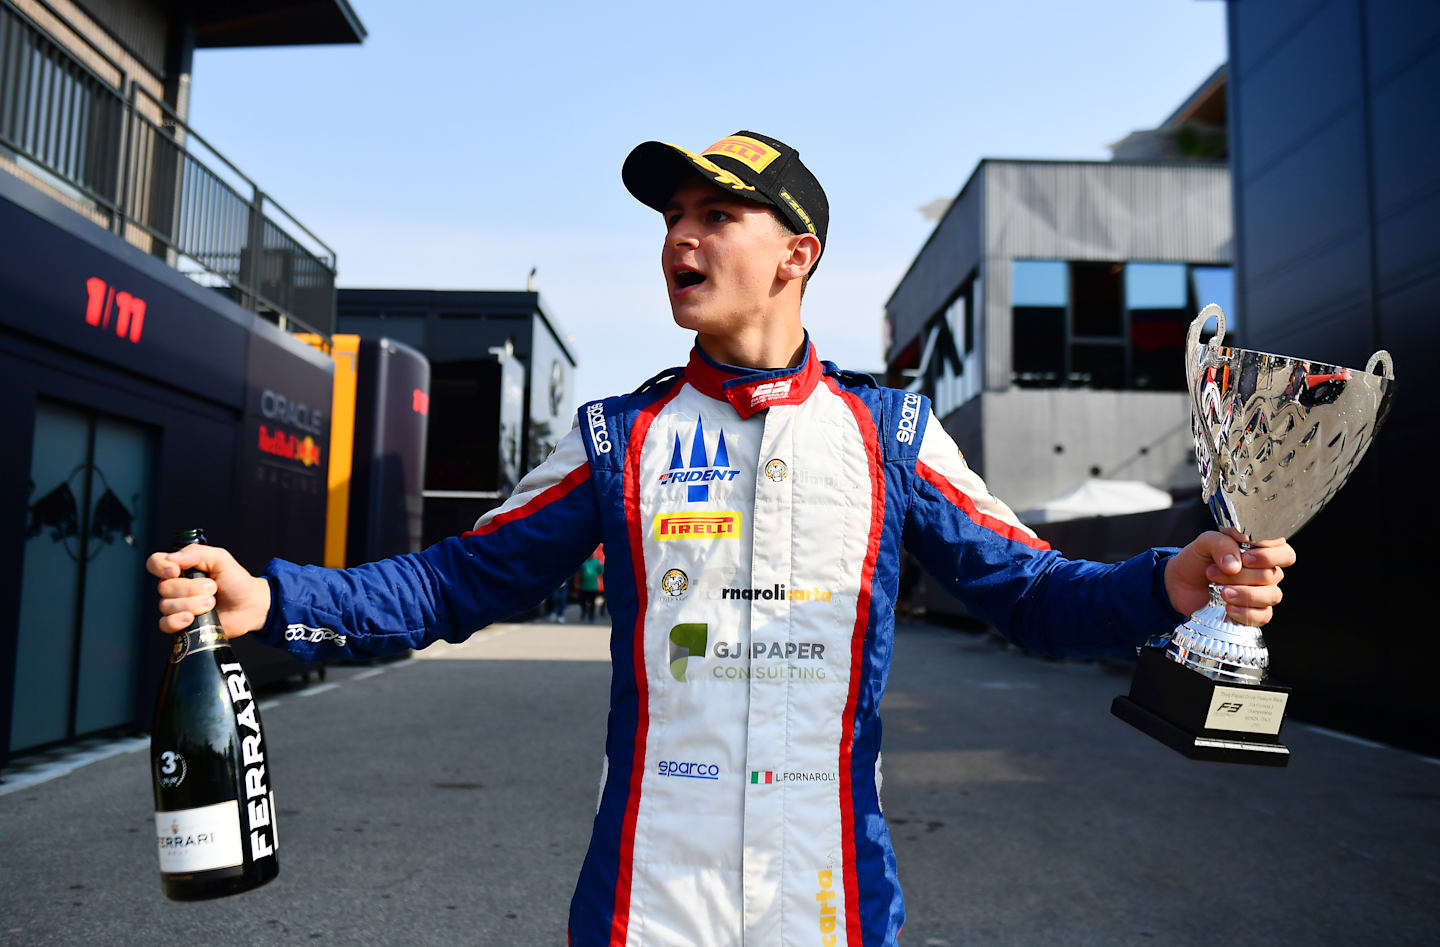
[[466, 143]]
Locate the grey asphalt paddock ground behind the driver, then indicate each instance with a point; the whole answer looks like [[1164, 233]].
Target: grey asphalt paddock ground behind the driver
[[449, 799]]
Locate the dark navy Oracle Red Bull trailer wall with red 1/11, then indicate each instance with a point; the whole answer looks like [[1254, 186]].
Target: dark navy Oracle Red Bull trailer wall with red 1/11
[[138, 404]]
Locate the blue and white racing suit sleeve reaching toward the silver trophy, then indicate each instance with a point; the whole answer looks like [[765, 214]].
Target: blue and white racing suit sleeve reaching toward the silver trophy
[[976, 548]]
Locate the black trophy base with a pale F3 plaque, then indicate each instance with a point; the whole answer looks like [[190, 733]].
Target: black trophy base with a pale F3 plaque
[[1203, 719]]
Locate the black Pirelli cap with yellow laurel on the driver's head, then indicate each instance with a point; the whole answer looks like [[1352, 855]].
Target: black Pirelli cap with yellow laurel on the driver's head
[[755, 166]]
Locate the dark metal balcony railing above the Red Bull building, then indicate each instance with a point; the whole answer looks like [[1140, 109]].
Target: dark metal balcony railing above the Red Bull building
[[125, 152]]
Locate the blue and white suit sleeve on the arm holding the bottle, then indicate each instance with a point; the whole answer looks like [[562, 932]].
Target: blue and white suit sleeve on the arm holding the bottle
[[516, 556]]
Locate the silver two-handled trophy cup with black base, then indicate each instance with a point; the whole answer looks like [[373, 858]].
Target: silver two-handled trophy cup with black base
[[1275, 441]]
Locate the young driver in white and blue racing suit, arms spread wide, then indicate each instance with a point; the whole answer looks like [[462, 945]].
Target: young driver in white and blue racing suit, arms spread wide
[[752, 506]]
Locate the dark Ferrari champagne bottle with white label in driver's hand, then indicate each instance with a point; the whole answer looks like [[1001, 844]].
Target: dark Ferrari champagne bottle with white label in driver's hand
[[215, 812]]
